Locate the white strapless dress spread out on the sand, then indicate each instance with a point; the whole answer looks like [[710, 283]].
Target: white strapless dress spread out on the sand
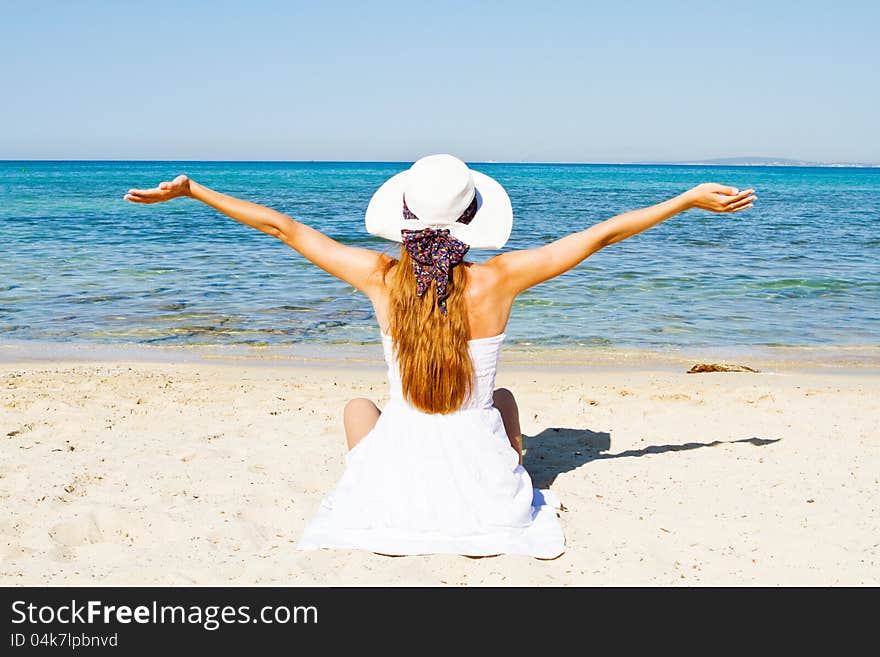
[[421, 483]]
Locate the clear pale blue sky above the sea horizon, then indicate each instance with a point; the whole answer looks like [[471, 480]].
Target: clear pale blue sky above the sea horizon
[[537, 81]]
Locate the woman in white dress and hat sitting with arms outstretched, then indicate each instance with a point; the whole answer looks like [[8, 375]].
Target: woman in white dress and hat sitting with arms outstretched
[[439, 469]]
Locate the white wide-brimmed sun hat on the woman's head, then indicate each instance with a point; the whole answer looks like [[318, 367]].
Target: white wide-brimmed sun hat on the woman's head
[[440, 191]]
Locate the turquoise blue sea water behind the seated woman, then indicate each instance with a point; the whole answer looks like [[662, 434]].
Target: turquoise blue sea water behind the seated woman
[[80, 264]]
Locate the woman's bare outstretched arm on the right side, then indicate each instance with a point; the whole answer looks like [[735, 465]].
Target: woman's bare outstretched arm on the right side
[[519, 270]]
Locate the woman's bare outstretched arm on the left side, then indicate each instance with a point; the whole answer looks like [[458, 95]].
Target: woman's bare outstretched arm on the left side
[[360, 268]]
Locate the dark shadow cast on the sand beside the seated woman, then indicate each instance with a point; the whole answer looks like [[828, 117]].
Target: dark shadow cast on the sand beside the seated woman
[[558, 450]]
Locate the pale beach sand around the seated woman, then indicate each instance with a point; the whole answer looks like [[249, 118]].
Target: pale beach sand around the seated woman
[[146, 472]]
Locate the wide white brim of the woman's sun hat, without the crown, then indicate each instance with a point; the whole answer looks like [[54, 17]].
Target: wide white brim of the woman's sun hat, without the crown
[[489, 229]]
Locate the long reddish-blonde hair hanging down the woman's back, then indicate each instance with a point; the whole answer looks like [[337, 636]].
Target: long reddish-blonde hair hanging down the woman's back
[[432, 351]]
